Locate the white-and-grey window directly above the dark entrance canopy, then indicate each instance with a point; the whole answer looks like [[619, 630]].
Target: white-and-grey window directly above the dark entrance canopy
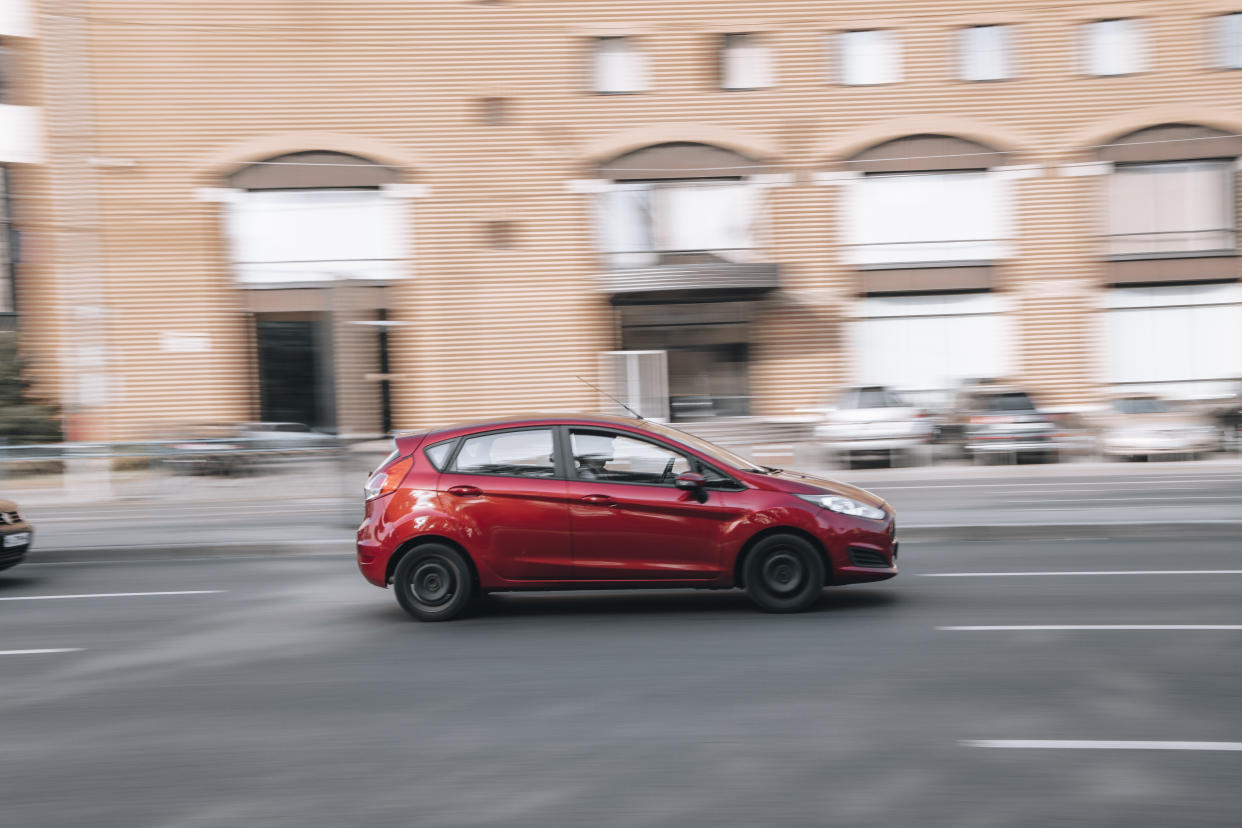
[[646, 224]]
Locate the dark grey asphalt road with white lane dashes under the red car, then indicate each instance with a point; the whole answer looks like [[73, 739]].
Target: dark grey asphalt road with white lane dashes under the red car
[[288, 692]]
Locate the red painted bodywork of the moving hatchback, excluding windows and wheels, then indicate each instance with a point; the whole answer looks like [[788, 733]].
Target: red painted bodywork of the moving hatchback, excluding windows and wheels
[[564, 532]]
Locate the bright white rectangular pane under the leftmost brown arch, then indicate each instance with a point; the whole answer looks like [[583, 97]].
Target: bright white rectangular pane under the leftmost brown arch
[[316, 235]]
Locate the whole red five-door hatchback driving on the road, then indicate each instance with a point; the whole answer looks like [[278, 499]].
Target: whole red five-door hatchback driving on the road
[[599, 502]]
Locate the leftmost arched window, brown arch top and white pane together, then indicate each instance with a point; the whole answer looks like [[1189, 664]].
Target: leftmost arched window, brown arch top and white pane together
[[315, 217]]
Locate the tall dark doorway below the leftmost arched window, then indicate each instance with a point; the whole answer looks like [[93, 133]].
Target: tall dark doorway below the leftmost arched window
[[289, 372]]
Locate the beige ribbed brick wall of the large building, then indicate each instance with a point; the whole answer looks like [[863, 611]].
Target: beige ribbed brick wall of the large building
[[189, 91]]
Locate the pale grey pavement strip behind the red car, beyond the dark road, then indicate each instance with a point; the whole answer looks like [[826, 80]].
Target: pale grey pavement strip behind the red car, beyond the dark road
[[316, 510]]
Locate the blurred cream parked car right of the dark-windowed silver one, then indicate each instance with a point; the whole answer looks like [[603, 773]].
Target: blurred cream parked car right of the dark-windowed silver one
[[1143, 426]]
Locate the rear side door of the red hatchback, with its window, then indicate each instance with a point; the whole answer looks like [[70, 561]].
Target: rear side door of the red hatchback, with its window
[[510, 502]]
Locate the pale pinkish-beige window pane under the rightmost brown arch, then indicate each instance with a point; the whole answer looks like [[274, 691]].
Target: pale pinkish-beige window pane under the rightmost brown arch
[[1171, 209]]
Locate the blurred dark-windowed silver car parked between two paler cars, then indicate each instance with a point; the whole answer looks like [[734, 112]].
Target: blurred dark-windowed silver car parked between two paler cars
[[1002, 421]]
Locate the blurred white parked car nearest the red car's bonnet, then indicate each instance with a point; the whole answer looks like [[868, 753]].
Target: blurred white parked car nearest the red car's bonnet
[[874, 423]]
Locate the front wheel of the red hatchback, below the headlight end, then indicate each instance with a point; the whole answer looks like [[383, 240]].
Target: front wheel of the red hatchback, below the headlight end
[[784, 574]]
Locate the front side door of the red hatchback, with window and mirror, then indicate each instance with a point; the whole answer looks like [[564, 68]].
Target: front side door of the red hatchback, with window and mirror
[[630, 522]]
